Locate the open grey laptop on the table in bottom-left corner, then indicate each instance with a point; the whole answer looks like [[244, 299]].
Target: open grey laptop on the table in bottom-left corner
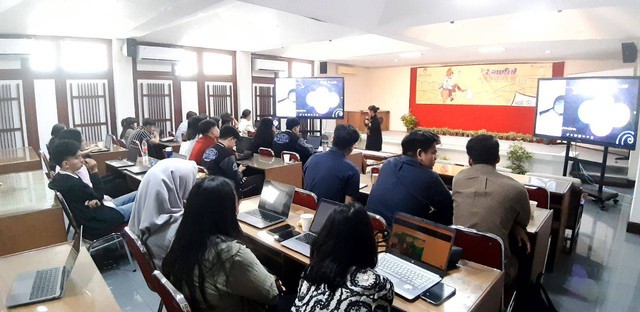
[[46, 284]]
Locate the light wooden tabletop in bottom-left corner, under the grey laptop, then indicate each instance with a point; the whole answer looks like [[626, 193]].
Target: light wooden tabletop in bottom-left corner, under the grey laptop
[[86, 289]]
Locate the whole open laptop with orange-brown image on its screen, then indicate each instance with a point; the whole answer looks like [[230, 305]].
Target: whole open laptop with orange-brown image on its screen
[[417, 254]]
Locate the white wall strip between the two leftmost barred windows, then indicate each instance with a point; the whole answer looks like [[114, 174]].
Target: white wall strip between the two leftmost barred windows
[[46, 109]]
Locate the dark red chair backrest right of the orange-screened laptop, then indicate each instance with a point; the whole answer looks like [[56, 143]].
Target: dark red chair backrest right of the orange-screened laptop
[[483, 248]]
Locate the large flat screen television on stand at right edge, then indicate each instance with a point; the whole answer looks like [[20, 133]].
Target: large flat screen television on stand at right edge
[[595, 110]]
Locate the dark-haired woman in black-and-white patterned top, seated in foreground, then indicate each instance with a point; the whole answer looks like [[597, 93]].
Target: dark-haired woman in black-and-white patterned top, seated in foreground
[[341, 272]]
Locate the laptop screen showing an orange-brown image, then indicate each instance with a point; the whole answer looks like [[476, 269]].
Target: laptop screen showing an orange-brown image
[[421, 240]]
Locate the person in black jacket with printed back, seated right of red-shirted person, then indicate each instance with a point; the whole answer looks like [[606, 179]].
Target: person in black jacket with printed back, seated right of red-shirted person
[[220, 158]]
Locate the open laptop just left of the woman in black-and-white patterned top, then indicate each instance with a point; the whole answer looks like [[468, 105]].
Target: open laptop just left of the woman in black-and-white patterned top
[[302, 243]]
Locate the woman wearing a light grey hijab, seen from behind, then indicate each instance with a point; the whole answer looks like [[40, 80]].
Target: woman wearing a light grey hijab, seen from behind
[[159, 205]]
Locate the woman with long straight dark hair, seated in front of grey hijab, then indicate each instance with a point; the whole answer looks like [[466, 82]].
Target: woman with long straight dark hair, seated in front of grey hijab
[[207, 261]]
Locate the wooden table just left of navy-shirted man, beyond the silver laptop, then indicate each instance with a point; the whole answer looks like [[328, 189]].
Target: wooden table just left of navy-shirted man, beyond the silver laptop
[[275, 169]]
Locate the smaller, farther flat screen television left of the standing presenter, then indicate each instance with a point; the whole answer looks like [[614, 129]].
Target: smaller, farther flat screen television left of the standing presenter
[[315, 97]]
